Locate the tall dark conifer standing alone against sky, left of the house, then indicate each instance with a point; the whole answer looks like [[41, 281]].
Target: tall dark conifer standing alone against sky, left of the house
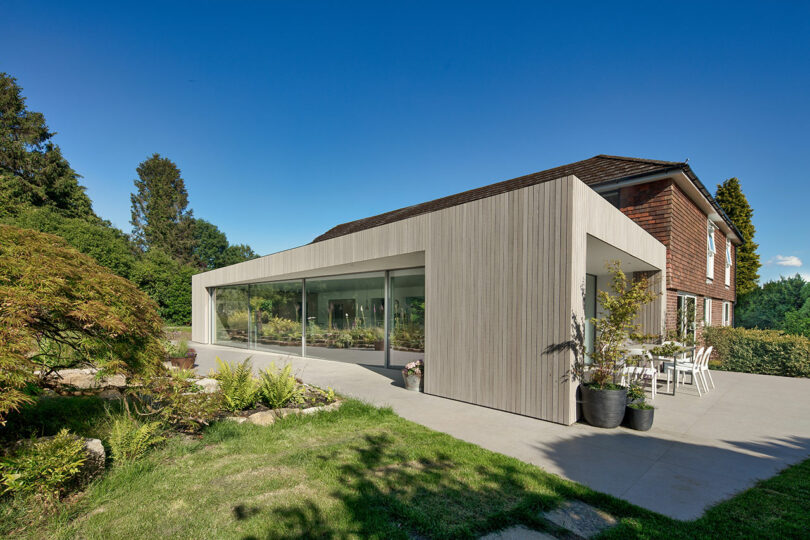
[[160, 217]]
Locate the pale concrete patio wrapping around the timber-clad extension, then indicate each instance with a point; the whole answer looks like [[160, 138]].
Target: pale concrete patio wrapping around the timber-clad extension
[[700, 451]]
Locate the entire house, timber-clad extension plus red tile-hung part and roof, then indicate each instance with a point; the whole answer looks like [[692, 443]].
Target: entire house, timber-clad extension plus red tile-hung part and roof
[[485, 285]]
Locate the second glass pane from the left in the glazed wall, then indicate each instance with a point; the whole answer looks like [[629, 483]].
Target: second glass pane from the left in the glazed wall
[[276, 317]]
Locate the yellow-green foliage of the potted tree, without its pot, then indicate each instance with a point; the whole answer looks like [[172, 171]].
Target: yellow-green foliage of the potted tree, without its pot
[[613, 329]]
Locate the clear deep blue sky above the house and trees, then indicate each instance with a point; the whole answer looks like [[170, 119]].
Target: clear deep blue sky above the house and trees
[[287, 118]]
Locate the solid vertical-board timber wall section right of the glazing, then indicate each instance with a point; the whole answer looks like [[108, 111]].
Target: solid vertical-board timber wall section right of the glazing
[[499, 290]]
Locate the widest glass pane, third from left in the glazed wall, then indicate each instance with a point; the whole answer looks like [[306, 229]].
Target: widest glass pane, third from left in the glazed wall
[[346, 318]]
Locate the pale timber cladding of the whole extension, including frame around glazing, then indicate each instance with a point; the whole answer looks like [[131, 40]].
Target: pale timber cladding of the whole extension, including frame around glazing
[[503, 278]]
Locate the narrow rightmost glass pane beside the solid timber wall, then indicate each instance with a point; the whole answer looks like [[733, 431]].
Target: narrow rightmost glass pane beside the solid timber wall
[[407, 316]]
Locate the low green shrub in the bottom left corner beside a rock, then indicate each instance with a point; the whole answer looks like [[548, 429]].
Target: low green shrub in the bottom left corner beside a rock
[[43, 466]]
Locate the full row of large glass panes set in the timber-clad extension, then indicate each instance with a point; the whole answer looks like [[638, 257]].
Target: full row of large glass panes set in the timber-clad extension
[[344, 316]]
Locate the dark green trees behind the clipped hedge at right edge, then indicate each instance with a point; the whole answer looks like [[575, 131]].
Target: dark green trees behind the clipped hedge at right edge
[[767, 307]]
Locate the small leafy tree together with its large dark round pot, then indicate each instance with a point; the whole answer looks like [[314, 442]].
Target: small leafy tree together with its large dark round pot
[[604, 399]]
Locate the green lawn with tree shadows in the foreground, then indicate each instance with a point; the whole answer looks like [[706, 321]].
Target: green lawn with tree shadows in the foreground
[[363, 472]]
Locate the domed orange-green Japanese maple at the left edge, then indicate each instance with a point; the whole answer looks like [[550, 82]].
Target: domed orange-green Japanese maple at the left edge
[[60, 309]]
